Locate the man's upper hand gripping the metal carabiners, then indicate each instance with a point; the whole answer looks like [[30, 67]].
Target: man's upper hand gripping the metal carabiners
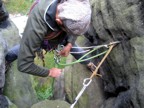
[[66, 50]]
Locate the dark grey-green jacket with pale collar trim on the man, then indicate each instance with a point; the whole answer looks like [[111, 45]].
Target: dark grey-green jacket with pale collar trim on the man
[[40, 23]]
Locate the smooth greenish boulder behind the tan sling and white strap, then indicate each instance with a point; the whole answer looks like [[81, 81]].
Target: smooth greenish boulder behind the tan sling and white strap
[[93, 96]]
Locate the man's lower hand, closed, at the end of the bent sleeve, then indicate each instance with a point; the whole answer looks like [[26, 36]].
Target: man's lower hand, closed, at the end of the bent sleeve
[[55, 72]]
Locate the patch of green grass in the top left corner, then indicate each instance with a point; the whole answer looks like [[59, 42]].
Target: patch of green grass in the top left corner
[[18, 6]]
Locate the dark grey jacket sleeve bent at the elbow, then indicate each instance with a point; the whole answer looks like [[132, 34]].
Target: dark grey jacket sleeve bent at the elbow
[[34, 33]]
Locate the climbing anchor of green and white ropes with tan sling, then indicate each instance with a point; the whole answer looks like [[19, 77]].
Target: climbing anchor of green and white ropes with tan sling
[[87, 81]]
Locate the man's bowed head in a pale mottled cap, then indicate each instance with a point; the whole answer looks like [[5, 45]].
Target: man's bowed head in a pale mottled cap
[[74, 16]]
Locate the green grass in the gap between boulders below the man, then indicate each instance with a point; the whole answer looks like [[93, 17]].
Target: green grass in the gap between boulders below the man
[[44, 86]]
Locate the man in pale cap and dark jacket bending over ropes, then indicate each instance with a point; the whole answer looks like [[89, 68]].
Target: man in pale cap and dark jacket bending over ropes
[[52, 22]]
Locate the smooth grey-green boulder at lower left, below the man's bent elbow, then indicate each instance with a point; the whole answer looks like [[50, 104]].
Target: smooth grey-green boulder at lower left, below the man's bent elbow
[[19, 88]]
